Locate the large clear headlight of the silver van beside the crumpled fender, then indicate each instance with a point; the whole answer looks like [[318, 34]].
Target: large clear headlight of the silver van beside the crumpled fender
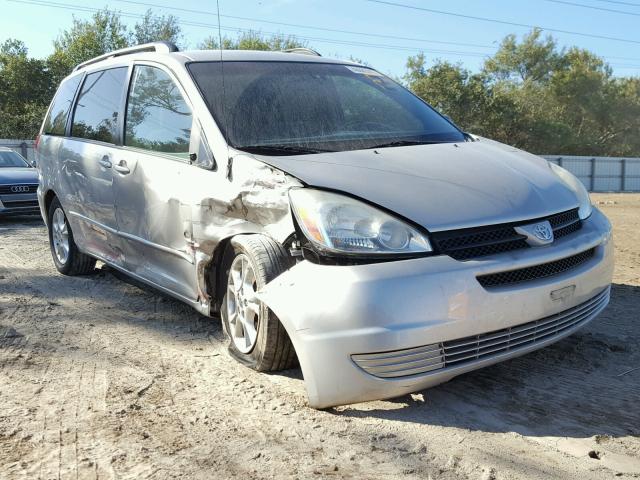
[[342, 224]]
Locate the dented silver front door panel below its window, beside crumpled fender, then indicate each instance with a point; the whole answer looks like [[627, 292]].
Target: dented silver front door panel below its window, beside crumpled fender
[[154, 216]]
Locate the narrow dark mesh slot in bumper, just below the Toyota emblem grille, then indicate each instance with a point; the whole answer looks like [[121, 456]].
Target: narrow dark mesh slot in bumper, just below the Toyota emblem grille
[[537, 271]]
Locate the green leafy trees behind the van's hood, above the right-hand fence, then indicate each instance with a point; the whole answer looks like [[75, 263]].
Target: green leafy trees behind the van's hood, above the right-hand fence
[[538, 97]]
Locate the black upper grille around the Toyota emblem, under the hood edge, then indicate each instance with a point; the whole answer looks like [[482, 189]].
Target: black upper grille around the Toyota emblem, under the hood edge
[[470, 243]]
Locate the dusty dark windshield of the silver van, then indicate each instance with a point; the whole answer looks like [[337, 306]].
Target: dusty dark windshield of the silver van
[[285, 108]]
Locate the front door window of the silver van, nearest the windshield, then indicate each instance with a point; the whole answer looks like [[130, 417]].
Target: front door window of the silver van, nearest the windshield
[[158, 118]]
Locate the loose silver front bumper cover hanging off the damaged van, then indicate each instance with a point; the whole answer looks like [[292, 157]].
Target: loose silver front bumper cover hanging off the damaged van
[[334, 312]]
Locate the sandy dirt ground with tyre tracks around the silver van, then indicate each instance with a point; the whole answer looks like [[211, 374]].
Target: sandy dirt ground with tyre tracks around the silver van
[[99, 379]]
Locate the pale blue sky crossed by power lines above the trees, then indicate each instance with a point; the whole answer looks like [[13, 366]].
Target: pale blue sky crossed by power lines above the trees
[[39, 25]]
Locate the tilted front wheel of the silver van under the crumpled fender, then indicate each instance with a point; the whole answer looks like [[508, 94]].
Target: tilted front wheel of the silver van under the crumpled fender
[[256, 336]]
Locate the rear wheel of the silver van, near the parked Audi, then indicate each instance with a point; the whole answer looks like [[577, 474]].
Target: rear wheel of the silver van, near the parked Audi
[[66, 256]]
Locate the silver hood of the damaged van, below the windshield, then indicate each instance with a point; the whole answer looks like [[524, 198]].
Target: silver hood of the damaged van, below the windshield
[[442, 186]]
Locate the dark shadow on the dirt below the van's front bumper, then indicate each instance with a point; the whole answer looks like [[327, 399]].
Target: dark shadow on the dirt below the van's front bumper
[[582, 386]]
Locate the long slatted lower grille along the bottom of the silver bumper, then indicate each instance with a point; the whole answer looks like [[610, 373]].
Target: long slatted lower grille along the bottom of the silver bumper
[[468, 350]]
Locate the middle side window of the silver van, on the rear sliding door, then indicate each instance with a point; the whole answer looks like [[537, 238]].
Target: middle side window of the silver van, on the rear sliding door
[[96, 113]]
